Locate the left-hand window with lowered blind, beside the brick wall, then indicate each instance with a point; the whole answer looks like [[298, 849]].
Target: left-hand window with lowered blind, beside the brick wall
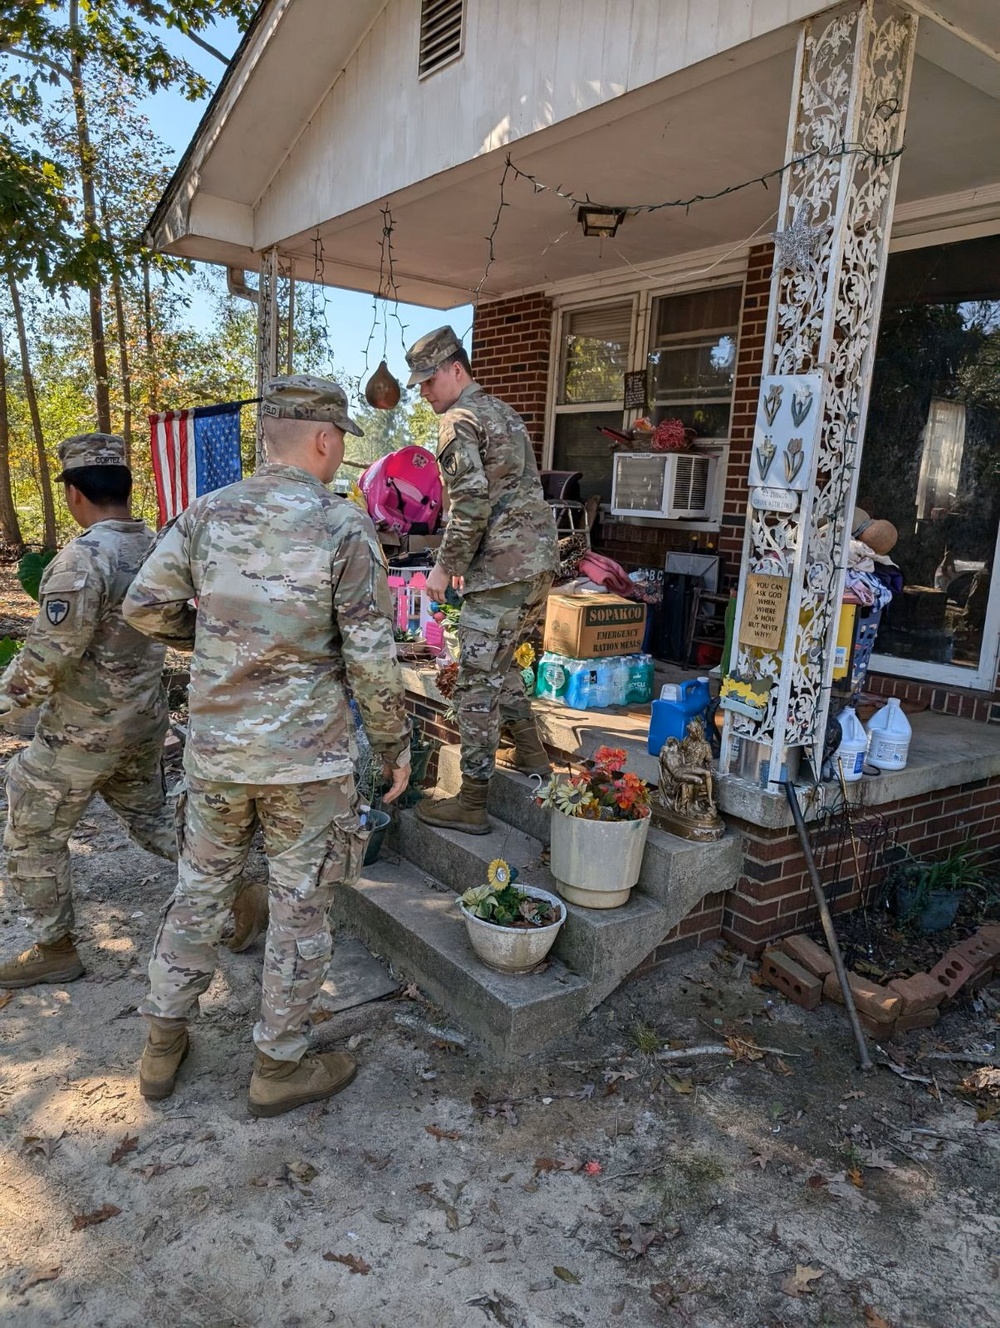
[[594, 358]]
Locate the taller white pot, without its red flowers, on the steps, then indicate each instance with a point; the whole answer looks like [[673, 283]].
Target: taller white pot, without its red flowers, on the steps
[[596, 864]]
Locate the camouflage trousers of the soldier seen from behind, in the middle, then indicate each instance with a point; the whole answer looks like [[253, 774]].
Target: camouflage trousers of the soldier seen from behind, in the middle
[[314, 841]]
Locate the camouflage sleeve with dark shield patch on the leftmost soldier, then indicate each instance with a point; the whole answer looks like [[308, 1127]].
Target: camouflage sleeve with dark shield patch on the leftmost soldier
[[72, 598]]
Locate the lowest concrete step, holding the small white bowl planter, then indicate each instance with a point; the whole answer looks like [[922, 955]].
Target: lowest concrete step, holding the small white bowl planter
[[411, 920]]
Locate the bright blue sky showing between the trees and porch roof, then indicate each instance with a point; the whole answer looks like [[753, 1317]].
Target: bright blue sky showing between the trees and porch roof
[[176, 122]]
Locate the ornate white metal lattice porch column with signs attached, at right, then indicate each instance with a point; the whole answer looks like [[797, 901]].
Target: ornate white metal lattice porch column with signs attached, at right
[[845, 137]]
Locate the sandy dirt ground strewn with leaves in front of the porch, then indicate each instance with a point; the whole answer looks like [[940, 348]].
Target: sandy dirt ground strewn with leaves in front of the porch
[[597, 1184]]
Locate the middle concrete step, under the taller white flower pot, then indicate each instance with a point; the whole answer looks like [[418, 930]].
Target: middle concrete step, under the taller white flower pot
[[601, 945]]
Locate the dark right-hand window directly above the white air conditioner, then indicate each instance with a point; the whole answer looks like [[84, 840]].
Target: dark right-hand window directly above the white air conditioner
[[693, 359]]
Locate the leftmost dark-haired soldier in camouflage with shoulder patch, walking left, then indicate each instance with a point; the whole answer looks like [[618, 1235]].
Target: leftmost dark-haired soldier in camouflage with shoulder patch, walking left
[[103, 710]]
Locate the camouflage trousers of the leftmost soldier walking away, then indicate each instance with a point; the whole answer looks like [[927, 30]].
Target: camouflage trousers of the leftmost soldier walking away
[[48, 791]]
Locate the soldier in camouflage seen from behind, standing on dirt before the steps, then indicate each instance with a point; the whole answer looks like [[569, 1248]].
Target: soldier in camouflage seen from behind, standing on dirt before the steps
[[293, 610]]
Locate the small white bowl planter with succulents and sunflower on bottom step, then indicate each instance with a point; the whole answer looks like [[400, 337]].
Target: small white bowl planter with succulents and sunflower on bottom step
[[511, 928]]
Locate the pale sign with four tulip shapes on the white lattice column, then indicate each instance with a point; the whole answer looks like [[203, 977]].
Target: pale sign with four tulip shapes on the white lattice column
[[790, 419]]
